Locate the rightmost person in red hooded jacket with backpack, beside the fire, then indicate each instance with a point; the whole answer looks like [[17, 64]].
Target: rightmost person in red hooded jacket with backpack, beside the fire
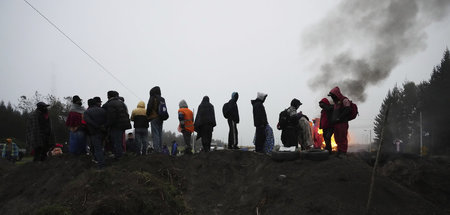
[[341, 112]]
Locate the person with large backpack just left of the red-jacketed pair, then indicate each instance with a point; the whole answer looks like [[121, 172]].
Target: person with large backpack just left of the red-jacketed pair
[[288, 123]]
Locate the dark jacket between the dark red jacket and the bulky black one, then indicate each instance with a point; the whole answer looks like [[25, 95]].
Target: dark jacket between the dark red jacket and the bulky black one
[[95, 118]]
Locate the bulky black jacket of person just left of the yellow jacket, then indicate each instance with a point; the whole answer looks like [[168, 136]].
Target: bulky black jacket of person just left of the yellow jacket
[[117, 114]]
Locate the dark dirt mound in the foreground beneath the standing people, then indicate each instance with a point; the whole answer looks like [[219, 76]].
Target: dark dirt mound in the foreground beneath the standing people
[[220, 182]]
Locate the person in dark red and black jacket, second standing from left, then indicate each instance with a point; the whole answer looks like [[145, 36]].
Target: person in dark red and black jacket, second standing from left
[[76, 125]]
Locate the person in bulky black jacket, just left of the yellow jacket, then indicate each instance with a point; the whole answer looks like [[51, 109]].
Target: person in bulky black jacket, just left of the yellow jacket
[[117, 121]]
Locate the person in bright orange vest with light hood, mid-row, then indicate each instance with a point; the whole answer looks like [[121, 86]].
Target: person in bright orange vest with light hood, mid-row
[[186, 126]]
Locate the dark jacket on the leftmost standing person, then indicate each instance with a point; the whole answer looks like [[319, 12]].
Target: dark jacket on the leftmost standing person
[[38, 129]]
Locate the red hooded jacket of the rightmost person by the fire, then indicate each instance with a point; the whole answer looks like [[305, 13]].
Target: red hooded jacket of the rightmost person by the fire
[[342, 108]]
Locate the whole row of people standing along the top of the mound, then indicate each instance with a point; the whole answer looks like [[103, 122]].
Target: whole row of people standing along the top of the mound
[[109, 121]]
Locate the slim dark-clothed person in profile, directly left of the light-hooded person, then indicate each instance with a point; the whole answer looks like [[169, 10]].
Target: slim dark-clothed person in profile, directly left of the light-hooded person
[[231, 113]]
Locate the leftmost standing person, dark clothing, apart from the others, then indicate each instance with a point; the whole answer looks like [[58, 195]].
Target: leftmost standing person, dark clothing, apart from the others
[[39, 132]]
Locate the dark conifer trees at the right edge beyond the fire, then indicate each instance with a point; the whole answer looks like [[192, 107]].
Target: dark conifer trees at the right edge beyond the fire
[[408, 103]]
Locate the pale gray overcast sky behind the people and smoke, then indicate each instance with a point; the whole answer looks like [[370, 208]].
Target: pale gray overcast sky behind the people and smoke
[[191, 49]]
